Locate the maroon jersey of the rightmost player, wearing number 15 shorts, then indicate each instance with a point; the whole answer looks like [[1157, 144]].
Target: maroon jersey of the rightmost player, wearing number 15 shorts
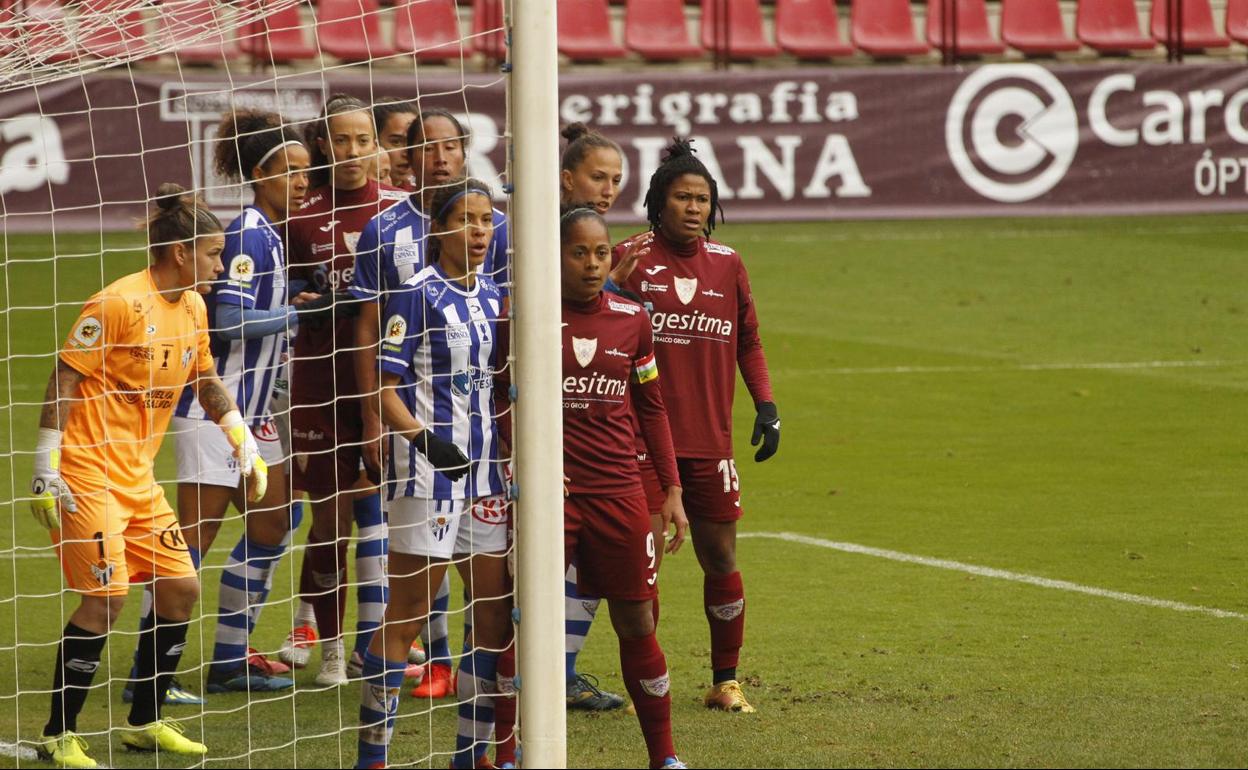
[[704, 330]]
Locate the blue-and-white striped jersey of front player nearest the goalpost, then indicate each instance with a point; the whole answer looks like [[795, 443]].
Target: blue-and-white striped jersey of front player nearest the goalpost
[[442, 339]]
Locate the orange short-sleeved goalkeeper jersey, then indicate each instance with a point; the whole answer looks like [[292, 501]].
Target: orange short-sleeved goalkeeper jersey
[[137, 351]]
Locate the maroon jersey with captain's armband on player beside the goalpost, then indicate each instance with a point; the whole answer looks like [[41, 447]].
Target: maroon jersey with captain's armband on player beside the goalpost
[[608, 371]]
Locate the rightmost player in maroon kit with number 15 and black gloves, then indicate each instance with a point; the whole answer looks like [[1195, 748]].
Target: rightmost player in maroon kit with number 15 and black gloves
[[704, 330]]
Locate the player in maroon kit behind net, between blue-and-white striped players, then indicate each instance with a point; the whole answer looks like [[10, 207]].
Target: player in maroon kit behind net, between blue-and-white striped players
[[328, 425]]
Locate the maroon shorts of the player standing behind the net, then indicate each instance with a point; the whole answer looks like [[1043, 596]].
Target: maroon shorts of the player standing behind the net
[[329, 446]]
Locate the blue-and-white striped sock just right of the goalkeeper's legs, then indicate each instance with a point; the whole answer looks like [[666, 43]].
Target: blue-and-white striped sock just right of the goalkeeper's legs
[[244, 587]]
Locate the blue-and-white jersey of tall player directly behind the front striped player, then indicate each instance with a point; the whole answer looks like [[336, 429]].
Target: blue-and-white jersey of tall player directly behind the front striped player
[[391, 251]]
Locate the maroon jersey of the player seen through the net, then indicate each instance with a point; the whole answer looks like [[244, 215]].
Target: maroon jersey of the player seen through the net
[[321, 249]]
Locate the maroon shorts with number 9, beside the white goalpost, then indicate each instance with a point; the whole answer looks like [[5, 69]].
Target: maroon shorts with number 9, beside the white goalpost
[[611, 542]]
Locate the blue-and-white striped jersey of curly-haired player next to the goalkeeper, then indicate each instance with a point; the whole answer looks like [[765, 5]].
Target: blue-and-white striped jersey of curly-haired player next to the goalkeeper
[[255, 279]]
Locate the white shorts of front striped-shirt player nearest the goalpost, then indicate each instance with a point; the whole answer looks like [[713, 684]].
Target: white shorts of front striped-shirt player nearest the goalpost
[[439, 530]]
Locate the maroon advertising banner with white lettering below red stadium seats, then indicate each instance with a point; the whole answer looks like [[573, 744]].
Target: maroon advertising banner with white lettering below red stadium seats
[[811, 144]]
